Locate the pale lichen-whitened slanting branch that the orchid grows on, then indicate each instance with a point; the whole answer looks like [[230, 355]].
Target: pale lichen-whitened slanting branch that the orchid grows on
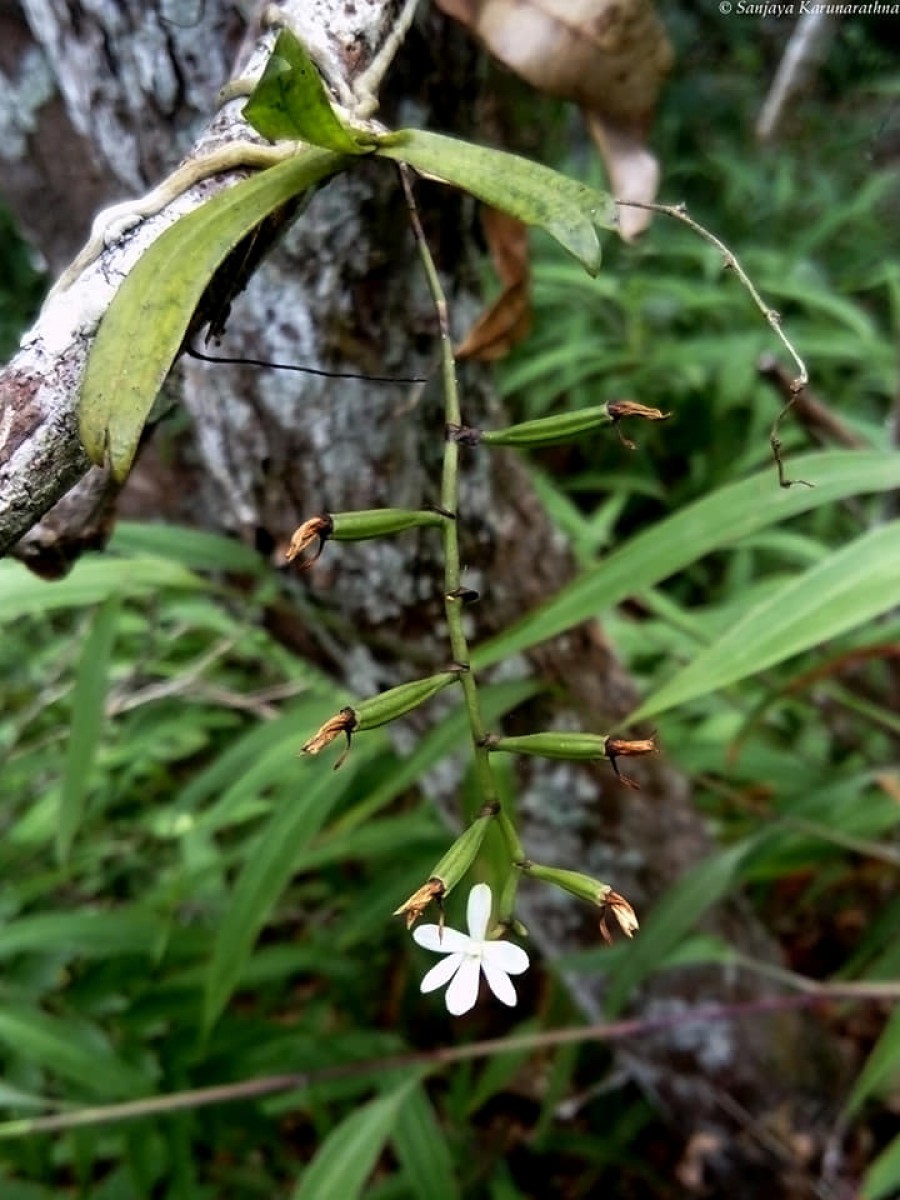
[[41, 457]]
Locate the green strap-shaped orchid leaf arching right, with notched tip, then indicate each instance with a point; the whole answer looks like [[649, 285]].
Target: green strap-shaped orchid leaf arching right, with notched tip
[[568, 211]]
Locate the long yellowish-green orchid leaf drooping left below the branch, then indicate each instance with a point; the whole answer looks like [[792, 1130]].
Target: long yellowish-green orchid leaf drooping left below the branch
[[142, 332]]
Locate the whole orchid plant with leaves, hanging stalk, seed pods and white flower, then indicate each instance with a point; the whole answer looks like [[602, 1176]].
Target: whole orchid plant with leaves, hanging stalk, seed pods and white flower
[[313, 141]]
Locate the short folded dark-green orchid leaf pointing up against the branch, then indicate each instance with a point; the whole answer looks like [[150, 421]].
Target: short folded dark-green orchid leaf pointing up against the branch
[[291, 104]]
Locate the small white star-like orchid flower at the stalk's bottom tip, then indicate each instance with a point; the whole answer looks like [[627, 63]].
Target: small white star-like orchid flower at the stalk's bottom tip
[[469, 956]]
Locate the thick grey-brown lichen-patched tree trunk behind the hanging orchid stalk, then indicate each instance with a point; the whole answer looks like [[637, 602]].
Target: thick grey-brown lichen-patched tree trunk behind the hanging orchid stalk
[[267, 449]]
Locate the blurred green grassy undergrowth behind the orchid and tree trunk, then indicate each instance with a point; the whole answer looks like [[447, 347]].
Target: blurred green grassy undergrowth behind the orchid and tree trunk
[[187, 905]]
